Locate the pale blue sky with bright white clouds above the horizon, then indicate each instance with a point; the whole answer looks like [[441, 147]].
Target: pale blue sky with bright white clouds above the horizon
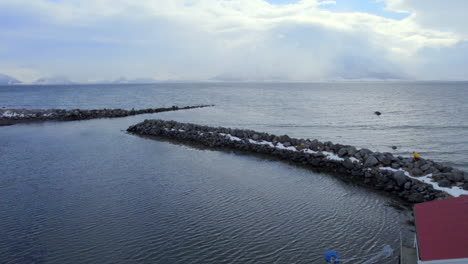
[[234, 40]]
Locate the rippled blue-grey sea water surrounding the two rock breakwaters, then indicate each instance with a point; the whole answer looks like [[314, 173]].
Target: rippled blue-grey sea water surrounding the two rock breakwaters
[[87, 192]]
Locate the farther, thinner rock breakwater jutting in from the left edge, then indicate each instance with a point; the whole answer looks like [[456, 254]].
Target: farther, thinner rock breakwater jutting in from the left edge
[[14, 116]]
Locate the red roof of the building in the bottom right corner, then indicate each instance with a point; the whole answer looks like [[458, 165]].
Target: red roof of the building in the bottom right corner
[[442, 229]]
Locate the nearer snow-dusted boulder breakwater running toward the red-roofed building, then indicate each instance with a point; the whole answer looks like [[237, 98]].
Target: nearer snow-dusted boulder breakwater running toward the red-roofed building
[[412, 180]]
